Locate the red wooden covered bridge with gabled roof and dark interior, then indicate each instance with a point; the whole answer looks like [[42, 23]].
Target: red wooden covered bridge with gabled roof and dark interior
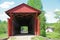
[[23, 15]]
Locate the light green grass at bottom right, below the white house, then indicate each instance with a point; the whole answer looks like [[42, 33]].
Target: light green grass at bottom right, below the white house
[[49, 36]]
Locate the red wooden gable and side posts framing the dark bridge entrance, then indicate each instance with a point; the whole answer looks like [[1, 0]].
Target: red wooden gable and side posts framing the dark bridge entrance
[[22, 9]]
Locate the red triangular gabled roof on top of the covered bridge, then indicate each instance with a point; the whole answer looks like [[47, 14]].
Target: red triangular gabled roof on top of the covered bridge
[[22, 9]]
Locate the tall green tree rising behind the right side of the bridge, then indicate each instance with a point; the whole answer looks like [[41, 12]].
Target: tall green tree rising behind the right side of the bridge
[[38, 5]]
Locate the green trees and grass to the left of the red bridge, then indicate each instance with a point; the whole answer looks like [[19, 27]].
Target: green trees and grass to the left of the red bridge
[[3, 29]]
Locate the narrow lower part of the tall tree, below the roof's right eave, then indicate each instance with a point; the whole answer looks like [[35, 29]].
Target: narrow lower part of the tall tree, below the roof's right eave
[[42, 24]]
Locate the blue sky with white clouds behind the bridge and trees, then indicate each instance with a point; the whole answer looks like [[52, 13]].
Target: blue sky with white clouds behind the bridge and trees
[[49, 6]]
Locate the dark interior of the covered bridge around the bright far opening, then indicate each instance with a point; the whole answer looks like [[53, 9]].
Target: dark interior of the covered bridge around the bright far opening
[[20, 21]]
